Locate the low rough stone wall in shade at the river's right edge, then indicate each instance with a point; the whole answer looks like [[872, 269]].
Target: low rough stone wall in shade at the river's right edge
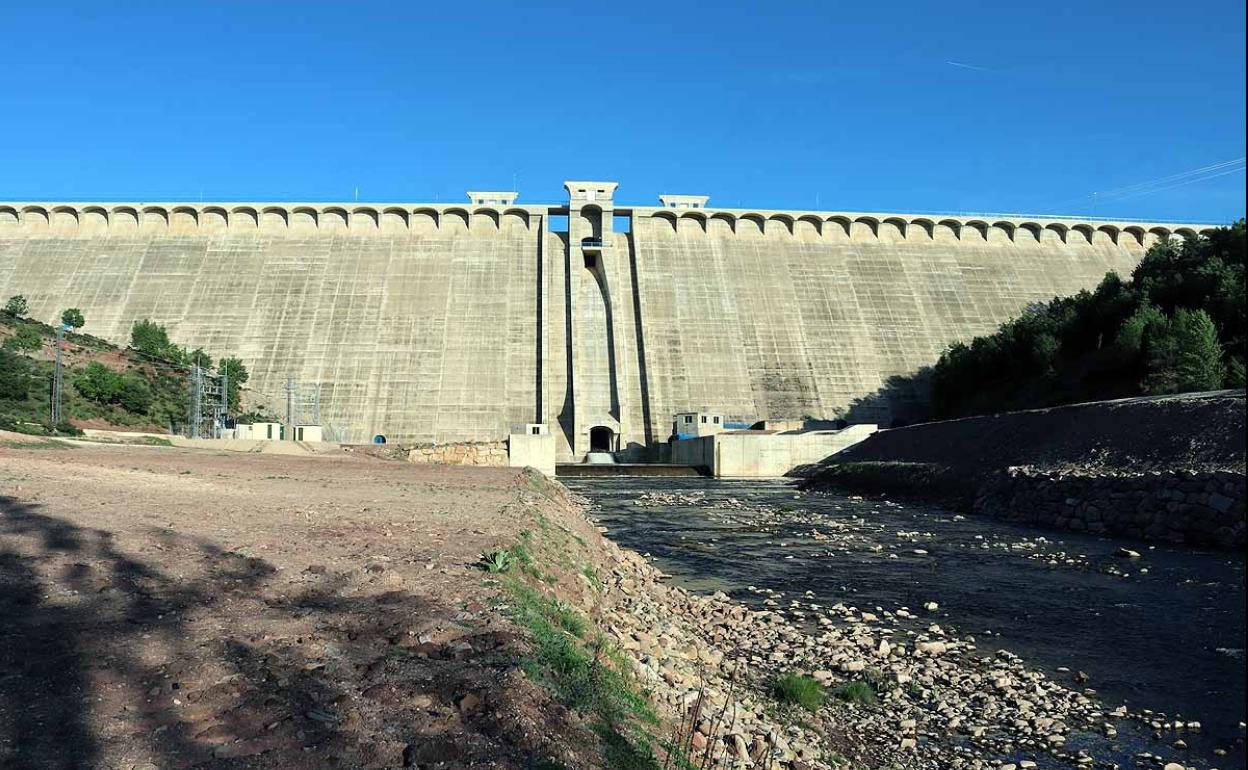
[[1197, 507]]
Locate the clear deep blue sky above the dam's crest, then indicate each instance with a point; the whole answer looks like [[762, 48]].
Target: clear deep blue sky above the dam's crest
[[953, 107]]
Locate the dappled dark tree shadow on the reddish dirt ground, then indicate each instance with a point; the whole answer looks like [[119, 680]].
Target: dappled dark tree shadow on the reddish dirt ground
[[202, 657]]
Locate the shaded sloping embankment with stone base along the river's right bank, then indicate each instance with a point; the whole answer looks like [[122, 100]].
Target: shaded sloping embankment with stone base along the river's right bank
[[1156, 469]]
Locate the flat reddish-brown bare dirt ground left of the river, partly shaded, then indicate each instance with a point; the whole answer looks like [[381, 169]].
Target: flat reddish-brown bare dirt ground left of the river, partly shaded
[[180, 608]]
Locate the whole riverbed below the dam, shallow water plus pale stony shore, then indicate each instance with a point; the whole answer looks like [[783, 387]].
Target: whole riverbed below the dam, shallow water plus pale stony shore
[[767, 582]]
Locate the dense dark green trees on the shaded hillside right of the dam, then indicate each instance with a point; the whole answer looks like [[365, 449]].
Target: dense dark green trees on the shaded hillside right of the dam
[[1176, 326]]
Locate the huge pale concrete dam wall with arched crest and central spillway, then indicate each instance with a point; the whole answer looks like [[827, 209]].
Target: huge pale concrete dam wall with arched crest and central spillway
[[454, 323]]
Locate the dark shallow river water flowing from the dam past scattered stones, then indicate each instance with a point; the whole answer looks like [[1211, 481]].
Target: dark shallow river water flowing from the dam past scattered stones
[[1164, 632]]
